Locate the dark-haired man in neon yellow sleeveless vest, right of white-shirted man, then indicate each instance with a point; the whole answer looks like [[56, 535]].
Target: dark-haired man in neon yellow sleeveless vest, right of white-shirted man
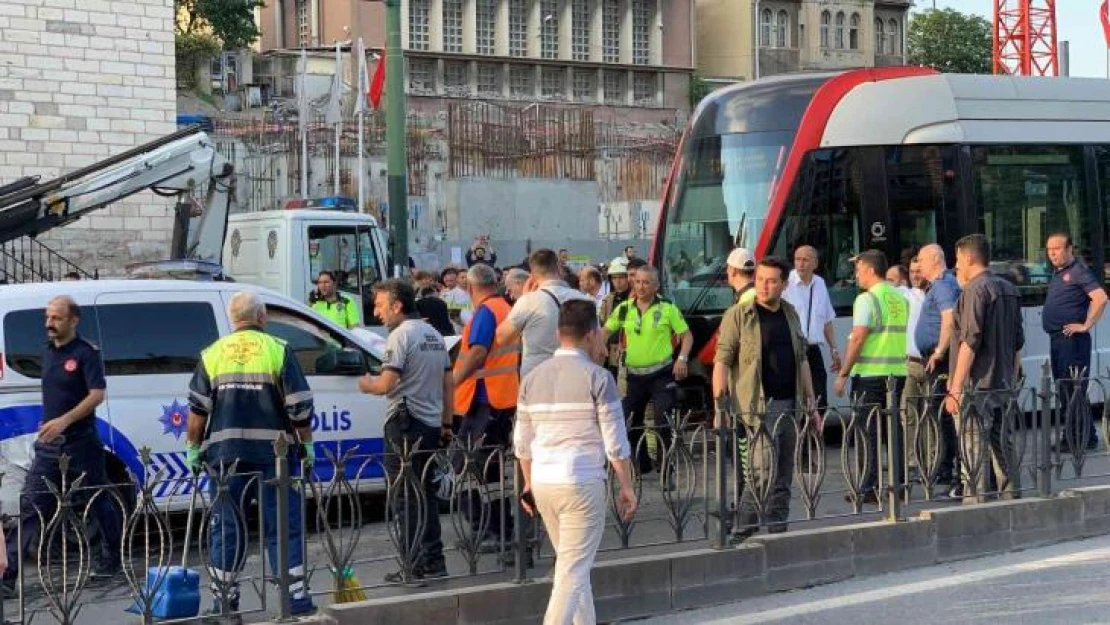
[[876, 352]]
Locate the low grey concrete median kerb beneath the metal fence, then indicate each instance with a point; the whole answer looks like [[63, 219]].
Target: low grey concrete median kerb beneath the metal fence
[[651, 586]]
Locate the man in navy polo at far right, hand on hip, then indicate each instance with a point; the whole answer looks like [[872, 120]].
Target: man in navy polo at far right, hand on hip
[[1073, 308]]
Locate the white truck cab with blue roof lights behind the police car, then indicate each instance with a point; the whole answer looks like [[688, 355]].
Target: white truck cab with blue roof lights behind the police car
[[285, 250]]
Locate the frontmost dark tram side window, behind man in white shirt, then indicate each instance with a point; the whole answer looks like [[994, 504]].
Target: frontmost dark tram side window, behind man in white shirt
[[824, 211]]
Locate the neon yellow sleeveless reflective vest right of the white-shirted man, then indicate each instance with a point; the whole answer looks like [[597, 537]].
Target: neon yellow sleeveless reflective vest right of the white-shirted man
[[884, 352]]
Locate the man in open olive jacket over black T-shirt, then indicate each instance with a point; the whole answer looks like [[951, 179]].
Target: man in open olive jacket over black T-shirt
[[762, 364]]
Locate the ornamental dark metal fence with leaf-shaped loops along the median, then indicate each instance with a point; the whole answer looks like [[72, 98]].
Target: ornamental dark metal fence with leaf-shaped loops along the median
[[712, 482]]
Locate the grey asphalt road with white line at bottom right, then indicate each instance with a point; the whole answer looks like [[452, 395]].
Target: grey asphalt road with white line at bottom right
[[1061, 586]]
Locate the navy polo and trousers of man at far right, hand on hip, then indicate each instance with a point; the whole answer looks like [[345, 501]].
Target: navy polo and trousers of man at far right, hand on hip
[[1068, 301]]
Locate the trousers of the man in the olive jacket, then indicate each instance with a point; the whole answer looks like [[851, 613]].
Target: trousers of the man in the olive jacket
[[771, 472]]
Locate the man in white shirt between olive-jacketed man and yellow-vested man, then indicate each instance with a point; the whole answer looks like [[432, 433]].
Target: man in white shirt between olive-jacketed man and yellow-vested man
[[808, 294]]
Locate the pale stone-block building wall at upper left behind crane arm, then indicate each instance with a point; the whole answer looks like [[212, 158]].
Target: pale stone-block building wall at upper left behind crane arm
[[82, 80]]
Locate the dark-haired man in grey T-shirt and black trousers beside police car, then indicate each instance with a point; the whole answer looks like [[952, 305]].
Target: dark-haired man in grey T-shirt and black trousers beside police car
[[417, 378]]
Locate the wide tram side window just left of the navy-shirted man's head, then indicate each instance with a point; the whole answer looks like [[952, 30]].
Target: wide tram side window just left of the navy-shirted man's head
[[1024, 194]]
